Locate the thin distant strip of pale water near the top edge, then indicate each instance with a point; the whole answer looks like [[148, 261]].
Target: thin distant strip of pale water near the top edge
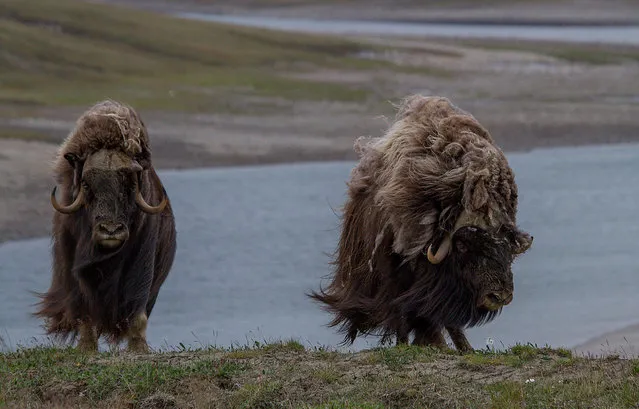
[[620, 35]]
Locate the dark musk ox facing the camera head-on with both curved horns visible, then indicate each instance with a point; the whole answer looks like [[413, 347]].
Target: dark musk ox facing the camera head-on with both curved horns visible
[[112, 247]]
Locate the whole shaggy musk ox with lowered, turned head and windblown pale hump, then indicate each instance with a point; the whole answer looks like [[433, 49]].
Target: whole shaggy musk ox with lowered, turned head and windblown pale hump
[[428, 232]]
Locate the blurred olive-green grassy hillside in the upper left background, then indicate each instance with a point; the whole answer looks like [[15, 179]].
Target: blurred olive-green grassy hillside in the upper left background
[[59, 52]]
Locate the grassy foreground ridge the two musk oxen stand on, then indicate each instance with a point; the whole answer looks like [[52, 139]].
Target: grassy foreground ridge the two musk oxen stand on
[[285, 375]]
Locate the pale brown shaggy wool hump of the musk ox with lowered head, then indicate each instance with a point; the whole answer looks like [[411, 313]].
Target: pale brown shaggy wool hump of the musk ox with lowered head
[[434, 163]]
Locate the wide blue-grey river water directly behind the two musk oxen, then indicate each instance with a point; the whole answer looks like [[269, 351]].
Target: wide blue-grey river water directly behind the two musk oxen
[[253, 240]]
